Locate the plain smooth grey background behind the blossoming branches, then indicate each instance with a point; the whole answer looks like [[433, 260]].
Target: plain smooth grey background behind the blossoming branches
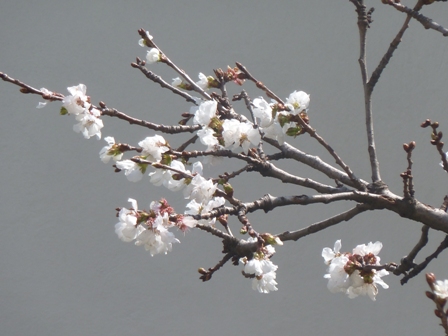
[[63, 271]]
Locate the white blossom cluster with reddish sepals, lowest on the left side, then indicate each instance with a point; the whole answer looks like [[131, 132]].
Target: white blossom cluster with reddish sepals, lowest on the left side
[[150, 228]]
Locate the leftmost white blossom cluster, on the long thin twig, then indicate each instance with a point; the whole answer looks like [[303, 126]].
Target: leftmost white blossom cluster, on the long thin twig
[[78, 104]]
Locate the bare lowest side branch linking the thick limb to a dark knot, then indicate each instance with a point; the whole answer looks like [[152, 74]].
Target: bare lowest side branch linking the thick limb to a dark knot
[[319, 226]]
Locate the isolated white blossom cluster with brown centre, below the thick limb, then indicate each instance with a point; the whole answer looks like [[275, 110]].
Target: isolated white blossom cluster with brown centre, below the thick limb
[[347, 272]]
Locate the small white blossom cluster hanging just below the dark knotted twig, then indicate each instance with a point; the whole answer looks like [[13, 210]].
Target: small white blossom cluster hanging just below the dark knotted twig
[[261, 268]]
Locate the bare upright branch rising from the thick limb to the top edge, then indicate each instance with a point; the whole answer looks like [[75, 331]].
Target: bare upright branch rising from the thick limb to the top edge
[[363, 24]]
